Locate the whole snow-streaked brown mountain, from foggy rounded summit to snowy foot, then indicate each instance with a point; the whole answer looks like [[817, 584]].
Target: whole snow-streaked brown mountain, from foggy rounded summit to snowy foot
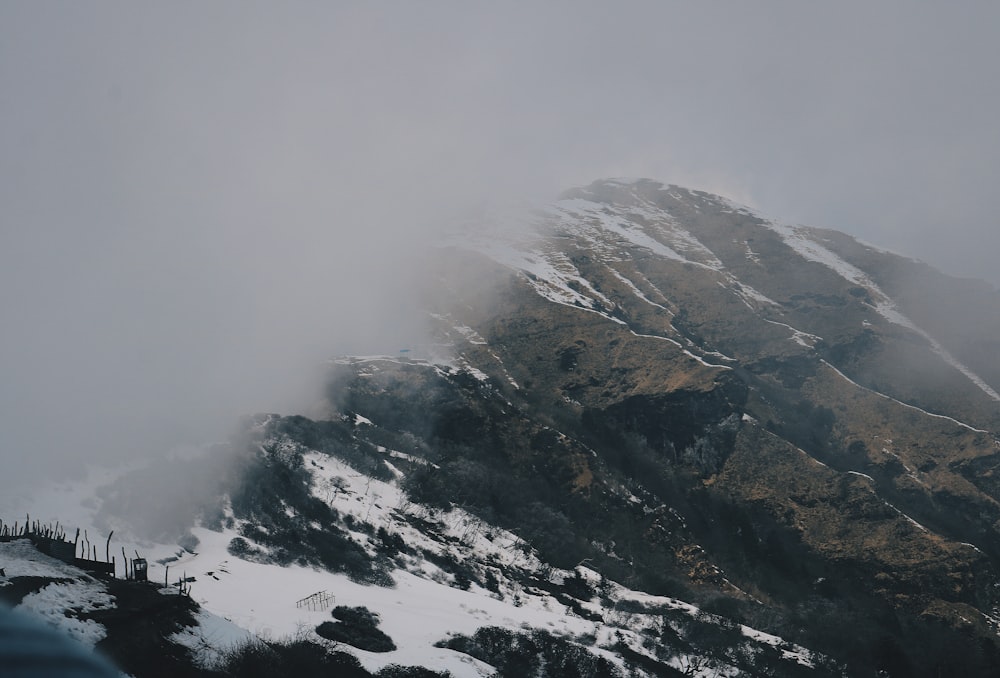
[[655, 434]]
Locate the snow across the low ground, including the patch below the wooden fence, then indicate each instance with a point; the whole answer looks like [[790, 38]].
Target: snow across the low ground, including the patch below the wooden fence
[[242, 600]]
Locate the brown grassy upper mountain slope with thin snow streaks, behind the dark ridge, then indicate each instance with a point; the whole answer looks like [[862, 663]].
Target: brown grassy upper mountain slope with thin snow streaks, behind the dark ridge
[[865, 440]]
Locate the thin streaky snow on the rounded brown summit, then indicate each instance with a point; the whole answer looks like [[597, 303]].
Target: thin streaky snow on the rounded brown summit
[[608, 231]]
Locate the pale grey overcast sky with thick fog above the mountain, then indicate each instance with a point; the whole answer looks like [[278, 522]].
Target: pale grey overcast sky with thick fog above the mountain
[[200, 201]]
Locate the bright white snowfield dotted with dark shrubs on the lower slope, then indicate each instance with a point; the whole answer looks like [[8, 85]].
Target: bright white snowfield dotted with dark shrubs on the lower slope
[[421, 609]]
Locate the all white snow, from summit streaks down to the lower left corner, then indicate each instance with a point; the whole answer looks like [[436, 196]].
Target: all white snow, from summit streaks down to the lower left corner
[[242, 599]]
